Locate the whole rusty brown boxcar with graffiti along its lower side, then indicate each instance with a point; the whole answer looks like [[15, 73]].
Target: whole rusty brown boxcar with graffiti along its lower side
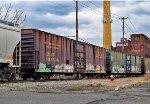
[[46, 52]]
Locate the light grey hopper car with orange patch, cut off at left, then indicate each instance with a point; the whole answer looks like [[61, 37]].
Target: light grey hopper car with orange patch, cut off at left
[[10, 51]]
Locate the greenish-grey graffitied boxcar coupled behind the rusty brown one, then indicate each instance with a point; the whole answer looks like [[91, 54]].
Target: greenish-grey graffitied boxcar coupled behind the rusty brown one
[[125, 64]]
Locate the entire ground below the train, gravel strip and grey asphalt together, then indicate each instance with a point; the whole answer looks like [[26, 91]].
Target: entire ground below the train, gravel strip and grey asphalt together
[[133, 90]]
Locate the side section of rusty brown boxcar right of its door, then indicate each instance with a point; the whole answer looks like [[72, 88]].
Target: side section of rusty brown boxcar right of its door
[[95, 59]]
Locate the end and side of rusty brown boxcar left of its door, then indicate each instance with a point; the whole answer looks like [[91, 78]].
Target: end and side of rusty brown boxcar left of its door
[[42, 48]]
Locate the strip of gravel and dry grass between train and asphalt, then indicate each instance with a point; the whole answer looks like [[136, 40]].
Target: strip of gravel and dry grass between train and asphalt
[[74, 86]]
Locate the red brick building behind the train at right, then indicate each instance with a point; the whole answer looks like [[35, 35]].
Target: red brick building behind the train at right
[[138, 45]]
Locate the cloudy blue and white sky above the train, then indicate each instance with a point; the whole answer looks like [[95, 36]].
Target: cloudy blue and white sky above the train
[[58, 17]]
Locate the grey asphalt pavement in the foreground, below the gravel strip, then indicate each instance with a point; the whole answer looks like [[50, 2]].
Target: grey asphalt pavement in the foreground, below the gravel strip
[[136, 95]]
